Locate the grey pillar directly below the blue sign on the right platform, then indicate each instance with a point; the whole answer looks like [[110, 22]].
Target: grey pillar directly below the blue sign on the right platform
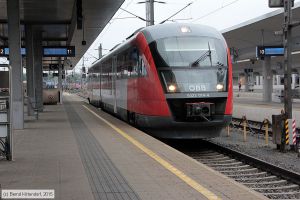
[[267, 83]]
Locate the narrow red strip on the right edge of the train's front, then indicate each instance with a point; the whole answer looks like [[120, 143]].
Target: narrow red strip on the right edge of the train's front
[[229, 103]]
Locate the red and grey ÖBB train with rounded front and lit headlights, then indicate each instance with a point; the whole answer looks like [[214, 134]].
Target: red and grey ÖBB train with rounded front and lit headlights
[[171, 80]]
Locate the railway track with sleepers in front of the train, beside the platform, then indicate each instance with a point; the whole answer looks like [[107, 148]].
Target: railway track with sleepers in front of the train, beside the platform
[[272, 181]]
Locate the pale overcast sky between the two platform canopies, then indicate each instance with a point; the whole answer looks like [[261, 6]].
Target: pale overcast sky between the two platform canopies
[[220, 14]]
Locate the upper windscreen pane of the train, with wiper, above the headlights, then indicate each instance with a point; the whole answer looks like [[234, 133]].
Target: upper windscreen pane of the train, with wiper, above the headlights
[[189, 52]]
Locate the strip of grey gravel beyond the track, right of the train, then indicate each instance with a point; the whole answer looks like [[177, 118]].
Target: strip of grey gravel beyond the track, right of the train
[[255, 147]]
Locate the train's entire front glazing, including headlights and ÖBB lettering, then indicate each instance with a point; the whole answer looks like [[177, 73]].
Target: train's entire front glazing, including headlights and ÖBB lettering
[[191, 64]]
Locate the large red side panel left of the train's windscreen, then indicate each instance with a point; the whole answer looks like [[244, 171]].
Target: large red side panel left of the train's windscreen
[[145, 94]]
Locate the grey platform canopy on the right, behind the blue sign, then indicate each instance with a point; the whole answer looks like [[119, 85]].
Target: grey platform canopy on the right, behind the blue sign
[[244, 38]]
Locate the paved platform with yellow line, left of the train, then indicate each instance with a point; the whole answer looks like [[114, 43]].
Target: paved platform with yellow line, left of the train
[[84, 153]]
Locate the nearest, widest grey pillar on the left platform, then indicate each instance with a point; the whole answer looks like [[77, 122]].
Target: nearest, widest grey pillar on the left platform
[[15, 60]]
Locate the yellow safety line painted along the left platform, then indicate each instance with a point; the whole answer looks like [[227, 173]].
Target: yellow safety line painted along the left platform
[[205, 192]]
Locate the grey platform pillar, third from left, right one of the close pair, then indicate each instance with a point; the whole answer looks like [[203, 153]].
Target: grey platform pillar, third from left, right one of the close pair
[[38, 69]]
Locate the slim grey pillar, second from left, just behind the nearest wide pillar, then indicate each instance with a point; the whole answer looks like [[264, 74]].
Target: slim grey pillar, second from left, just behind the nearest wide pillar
[[29, 69]]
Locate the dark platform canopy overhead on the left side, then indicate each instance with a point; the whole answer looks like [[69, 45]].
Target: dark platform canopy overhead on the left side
[[57, 19]]
